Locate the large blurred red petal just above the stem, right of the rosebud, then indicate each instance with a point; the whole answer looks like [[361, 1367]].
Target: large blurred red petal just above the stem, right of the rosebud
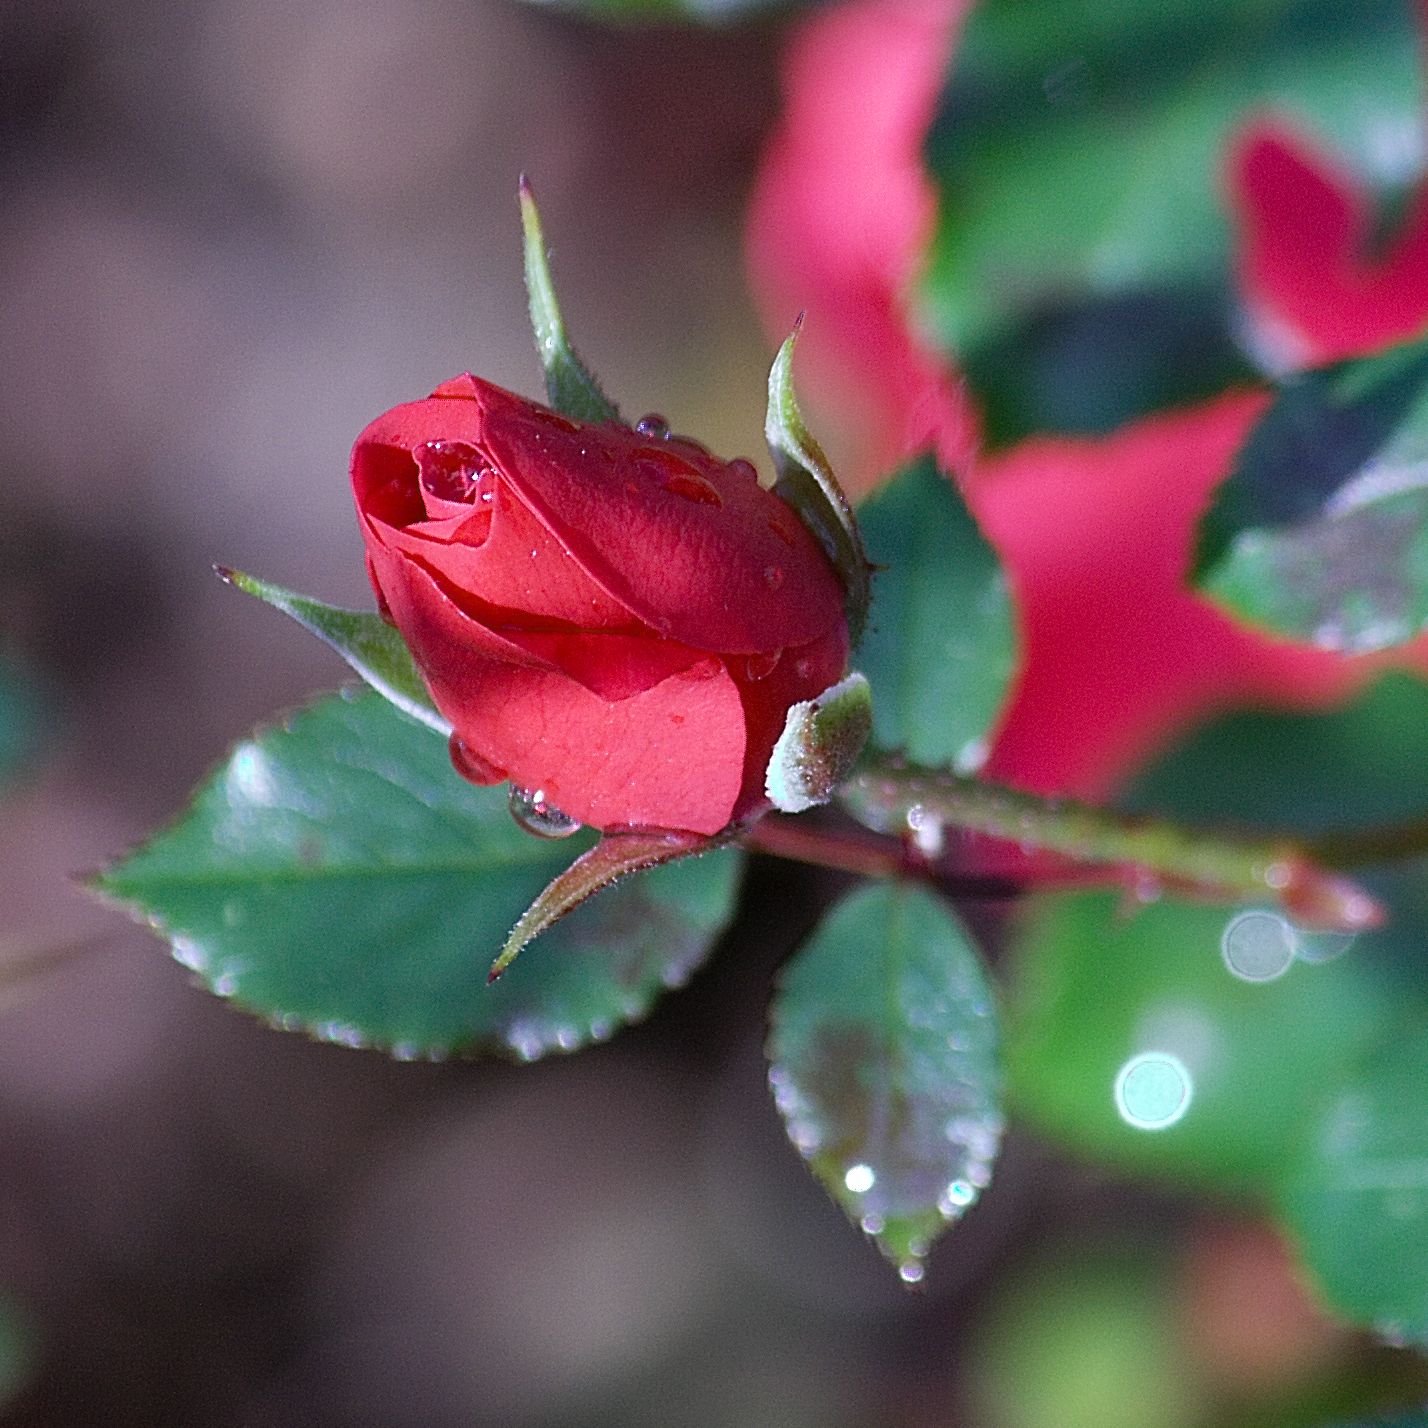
[[1119, 652]]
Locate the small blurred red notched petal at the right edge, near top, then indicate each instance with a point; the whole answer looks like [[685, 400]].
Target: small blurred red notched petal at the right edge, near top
[[1310, 282]]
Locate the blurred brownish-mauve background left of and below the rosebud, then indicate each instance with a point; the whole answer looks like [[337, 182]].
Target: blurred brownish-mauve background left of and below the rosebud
[[233, 232]]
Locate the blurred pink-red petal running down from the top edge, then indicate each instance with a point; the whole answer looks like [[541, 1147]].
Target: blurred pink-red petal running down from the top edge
[[840, 219]]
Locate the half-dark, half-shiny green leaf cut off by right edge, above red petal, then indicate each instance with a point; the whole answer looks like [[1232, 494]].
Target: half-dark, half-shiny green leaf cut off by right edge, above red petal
[[1322, 532]]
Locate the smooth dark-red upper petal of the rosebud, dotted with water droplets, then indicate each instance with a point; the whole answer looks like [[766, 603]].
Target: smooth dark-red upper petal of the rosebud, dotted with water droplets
[[693, 548]]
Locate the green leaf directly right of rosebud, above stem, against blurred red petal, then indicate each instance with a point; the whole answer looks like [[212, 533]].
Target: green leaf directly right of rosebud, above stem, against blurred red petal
[[942, 648]]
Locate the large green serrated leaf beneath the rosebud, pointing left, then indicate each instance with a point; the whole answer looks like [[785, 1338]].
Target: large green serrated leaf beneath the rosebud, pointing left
[[336, 876]]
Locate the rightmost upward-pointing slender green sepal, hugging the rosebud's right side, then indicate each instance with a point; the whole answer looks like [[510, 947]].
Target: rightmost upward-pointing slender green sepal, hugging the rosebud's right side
[[806, 483]]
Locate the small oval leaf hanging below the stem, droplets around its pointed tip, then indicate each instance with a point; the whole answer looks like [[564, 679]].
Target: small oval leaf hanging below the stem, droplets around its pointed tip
[[885, 1066]]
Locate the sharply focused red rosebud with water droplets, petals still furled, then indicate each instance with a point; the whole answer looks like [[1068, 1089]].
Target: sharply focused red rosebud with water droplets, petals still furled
[[613, 619]]
